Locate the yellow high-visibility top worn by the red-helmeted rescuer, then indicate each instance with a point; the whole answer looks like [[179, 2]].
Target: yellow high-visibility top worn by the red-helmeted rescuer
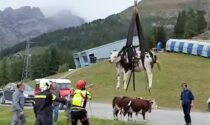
[[79, 98]]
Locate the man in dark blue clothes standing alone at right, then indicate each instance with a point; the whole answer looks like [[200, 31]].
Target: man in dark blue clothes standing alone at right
[[186, 101]]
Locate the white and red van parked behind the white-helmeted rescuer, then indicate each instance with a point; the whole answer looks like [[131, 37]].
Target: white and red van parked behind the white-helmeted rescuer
[[64, 86]]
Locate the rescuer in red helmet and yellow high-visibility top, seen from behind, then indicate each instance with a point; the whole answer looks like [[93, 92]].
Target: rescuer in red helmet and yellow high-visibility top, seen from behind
[[79, 100]]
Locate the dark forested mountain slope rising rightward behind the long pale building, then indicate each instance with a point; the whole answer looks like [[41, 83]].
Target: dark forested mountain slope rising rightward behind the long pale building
[[115, 27]]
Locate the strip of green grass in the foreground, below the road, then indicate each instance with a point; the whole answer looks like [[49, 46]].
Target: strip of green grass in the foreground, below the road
[[6, 117]]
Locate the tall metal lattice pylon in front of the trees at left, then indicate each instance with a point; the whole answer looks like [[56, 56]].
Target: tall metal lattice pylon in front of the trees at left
[[26, 72]]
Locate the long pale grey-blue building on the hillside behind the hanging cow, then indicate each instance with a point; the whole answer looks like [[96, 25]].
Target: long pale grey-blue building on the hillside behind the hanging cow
[[87, 57]]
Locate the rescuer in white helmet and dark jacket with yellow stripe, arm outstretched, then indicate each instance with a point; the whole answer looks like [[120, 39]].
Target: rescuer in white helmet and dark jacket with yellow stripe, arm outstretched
[[43, 105]]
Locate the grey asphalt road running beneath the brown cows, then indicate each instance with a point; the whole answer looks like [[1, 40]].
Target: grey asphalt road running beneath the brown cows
[[156, 117]]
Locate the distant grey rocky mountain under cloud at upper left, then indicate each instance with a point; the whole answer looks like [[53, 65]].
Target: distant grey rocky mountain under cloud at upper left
[[26, 22]]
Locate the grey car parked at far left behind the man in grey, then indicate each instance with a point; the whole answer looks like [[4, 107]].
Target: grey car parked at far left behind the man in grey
[[9, 89]]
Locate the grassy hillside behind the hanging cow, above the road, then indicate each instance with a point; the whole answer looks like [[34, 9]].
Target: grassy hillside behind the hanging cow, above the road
[[175, 69]]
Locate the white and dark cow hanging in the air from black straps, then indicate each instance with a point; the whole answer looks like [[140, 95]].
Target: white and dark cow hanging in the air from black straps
[[123, 67]]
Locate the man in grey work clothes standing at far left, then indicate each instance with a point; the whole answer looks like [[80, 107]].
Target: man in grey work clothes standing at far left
[[18, 105]]
